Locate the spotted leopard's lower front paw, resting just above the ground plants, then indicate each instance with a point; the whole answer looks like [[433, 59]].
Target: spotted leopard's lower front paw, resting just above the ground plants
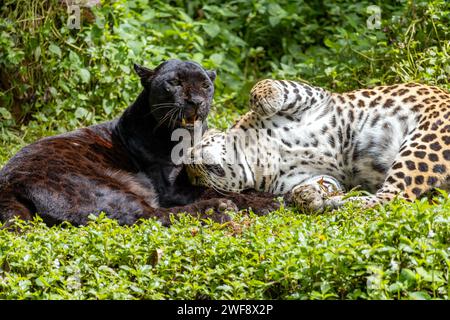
[[309, 198]]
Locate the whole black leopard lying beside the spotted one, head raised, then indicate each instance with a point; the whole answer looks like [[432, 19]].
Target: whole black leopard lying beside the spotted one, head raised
[[122, 167]]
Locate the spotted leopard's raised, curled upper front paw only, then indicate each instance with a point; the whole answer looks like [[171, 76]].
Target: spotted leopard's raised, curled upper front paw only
[[266, 98]]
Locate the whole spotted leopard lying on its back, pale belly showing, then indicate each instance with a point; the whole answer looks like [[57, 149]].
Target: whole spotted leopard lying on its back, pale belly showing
[[392, 141]]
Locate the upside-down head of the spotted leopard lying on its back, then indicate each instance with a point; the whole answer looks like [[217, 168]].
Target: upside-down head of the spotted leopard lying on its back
[[217, 162]]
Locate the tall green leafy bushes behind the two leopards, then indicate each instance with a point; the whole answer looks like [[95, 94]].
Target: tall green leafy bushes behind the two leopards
[[65, 77]]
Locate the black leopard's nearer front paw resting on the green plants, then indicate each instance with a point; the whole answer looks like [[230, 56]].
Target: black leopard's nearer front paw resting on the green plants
[[216, 209]]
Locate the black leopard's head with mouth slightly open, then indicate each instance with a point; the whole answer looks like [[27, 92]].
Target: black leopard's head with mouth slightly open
[[180, 92]]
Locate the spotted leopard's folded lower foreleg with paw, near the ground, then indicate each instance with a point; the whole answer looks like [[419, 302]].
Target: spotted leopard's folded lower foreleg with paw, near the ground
[[317, 194]]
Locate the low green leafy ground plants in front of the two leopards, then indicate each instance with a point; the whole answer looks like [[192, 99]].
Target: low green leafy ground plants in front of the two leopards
[[398, 252]]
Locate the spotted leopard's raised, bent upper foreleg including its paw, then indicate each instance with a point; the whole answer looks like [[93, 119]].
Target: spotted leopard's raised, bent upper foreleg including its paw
[[269, 97]]
